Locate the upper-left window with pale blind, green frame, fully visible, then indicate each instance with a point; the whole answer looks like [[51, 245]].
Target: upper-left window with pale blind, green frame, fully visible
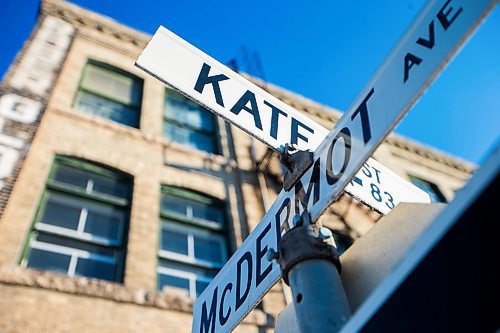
[[110, 93]]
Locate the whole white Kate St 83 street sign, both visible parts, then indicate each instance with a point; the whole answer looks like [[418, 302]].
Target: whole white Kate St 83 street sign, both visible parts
[[227, 94]]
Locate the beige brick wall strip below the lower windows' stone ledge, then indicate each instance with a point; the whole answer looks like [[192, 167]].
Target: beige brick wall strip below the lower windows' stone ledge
[[51, 311]]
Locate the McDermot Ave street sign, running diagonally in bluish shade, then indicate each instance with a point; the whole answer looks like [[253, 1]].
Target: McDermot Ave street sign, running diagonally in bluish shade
[[425, 49]]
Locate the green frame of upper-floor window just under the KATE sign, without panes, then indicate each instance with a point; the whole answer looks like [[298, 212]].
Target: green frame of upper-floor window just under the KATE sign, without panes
[[213, 135]]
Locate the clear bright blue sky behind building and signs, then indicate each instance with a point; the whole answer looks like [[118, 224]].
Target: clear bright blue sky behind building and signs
[[326, 51]]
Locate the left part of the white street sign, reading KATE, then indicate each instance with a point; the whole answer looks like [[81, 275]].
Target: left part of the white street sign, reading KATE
[[226, 93]]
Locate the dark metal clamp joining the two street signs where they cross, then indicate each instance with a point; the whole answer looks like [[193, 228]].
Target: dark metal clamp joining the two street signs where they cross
[[296, 163]]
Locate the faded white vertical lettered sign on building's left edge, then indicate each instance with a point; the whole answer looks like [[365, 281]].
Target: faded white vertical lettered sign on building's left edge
[[24, 94]]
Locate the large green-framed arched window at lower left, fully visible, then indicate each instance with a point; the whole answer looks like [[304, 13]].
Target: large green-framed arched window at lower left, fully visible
[[81, 225]]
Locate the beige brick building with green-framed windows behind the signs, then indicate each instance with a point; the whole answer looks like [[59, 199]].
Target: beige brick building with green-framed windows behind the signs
[[114, 213]]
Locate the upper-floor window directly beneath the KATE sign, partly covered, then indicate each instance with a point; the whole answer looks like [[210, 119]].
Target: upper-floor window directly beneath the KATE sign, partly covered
[[188, 123]]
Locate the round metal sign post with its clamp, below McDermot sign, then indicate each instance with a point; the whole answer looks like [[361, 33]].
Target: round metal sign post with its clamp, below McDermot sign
[[310, 265]]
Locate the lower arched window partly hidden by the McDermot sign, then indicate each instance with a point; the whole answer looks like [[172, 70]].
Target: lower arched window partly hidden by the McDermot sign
[[192, 240]]
